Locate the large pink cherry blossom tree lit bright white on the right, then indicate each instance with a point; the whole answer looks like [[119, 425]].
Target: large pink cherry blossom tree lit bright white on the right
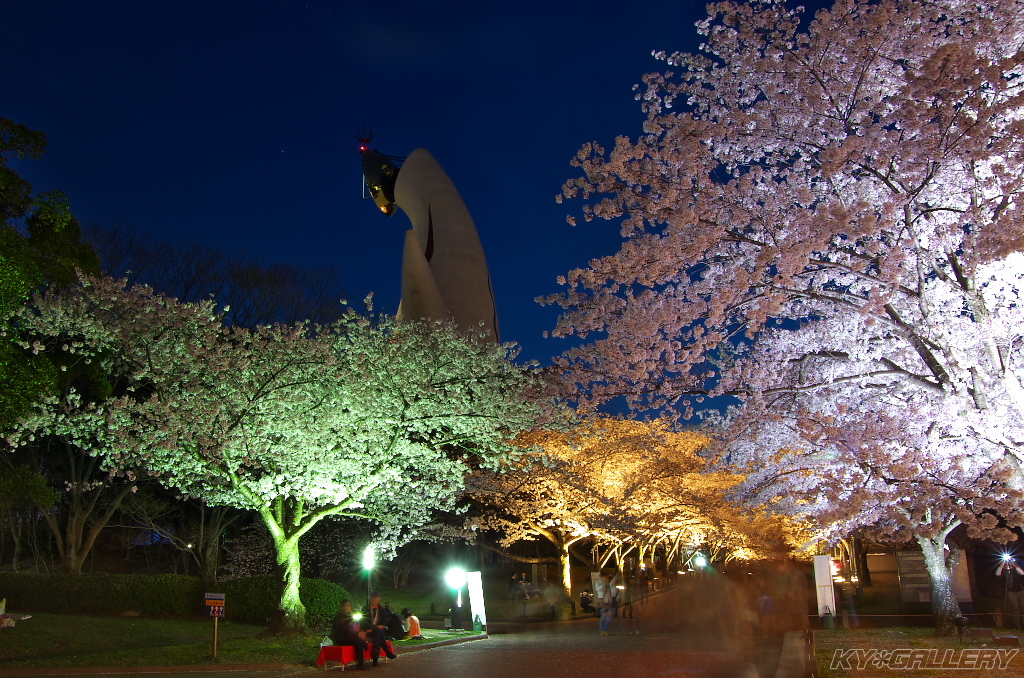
[[822, 222]]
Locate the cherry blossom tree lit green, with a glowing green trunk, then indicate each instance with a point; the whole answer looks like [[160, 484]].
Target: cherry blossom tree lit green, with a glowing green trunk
[[364, 418]]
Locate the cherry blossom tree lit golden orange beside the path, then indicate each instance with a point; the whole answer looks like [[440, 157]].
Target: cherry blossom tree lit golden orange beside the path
[[627, 486]]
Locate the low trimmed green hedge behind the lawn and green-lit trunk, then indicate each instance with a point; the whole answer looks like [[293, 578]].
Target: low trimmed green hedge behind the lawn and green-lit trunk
[[250, 601]]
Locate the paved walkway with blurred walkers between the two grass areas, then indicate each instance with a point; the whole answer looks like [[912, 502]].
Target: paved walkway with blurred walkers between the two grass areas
[[682, 633]]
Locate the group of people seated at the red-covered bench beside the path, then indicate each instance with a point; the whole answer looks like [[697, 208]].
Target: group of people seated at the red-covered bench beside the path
[[372, 629]]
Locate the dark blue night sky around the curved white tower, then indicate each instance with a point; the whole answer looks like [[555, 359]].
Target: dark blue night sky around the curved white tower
[[234, 122]]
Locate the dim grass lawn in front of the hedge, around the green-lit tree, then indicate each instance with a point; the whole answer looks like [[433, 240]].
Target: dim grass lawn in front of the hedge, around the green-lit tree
[[58, 641]]
